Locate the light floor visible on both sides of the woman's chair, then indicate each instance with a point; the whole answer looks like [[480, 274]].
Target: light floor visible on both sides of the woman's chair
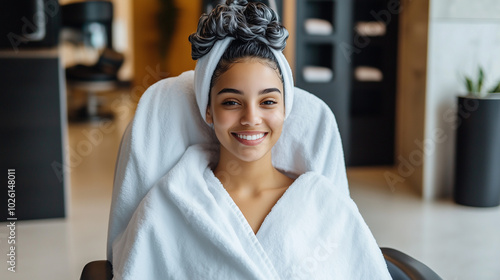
[[457, 242]]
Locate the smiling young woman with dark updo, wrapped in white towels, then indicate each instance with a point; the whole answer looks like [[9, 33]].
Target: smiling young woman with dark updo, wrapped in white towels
[[260, 193]]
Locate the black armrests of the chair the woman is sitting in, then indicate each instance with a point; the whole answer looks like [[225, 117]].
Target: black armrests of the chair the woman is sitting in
[[400, 265]]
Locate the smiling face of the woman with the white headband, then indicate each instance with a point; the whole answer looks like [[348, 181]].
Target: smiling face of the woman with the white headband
[[247, 109]]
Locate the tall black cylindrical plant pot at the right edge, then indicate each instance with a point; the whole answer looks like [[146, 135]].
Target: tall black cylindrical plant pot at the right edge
[[477, 162]]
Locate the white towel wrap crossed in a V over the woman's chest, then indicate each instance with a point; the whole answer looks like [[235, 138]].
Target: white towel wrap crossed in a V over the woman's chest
[[188, 227]]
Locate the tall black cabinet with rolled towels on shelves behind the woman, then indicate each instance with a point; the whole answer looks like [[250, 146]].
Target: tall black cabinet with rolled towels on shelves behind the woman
[[346, 54]]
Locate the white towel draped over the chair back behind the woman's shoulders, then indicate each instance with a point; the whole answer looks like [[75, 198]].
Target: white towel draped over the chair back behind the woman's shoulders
[[167, 122]]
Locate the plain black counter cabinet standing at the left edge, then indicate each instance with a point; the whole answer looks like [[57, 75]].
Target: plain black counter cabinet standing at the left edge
[[33, 122]]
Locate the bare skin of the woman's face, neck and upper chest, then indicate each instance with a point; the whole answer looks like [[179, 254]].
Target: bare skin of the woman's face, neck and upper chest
[[248, 98]]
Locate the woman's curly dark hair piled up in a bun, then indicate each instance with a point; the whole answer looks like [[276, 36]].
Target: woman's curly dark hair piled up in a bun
[[254, 27]]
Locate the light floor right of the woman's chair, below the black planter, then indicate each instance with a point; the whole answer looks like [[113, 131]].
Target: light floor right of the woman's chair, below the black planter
[[458, 242]]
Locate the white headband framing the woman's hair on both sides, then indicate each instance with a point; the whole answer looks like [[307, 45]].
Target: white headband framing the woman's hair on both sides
[[206, 65]]
